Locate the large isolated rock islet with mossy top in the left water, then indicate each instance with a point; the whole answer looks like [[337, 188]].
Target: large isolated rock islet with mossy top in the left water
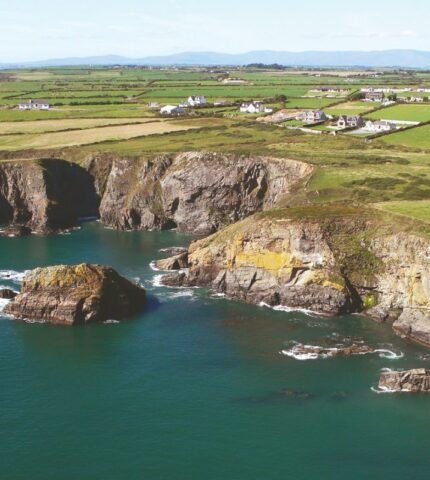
[[76, 295]]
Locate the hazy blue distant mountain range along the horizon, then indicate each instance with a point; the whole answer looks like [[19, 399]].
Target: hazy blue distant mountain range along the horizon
[[384, 58]]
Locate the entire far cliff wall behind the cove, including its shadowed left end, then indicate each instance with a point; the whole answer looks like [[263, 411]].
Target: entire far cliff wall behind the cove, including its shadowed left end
[[194, 192]]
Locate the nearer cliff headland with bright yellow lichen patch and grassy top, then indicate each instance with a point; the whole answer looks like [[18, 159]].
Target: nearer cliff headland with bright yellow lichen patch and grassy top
[[330, 259]]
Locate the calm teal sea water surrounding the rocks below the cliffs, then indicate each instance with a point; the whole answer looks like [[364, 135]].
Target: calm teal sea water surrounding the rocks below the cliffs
[[192, 389]]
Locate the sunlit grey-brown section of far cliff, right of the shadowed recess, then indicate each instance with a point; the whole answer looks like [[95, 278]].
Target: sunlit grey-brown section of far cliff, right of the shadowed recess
[[196, 192]]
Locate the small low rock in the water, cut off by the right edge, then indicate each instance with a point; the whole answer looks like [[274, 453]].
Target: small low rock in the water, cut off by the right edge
[[416, 380]]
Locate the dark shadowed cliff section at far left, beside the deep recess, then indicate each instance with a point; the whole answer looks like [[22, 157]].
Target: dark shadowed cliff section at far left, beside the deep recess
[[45, 195]]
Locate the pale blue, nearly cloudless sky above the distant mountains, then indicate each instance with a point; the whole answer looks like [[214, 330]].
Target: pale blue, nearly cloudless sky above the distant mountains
[[44, 29]]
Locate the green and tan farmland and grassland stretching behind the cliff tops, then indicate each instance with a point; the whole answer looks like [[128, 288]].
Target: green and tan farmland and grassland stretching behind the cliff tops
[[102, 110]]
